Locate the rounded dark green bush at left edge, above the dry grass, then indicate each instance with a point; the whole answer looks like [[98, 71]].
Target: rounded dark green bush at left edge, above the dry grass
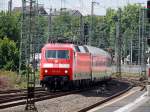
[[9, 55]]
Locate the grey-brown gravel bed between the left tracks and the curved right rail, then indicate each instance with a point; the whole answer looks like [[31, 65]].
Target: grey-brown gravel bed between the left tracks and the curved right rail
[[75, 102]]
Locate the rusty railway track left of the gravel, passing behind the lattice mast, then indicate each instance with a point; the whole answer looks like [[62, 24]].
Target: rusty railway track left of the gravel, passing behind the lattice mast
[[18, 97]]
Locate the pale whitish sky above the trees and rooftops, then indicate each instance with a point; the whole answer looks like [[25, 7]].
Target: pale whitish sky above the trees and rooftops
[[84, 6]]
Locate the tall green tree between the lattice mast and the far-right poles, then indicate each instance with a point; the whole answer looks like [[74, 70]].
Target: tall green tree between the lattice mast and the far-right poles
[[130, 27]]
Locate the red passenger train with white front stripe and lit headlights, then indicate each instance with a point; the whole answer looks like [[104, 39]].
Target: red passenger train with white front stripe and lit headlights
[[70, 64]]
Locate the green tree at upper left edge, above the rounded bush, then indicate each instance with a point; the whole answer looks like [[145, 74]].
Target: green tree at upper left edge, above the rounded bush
[[9, 25]]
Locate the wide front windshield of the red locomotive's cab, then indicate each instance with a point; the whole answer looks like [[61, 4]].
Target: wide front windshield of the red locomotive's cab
[[57, 54]]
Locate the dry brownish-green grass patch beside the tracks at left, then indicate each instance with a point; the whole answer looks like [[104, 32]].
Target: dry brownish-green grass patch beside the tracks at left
[[11, 80]]
